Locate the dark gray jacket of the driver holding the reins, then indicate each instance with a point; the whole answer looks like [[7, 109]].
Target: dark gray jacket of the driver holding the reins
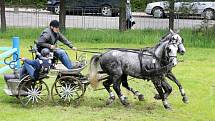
[[48, 38]]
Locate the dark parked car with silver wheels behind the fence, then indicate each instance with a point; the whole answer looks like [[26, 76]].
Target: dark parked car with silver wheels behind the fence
[[104, 7]]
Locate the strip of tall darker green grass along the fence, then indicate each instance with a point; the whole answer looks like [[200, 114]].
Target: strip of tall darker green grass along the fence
[[193, 38]]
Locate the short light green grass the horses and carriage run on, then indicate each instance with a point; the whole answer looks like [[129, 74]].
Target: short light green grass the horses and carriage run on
[[196, 73]]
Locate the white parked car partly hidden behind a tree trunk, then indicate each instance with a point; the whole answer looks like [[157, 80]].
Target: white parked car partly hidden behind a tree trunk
[[205, 8]]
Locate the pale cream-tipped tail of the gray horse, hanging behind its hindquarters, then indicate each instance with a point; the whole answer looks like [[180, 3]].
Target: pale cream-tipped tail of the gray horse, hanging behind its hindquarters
[[94, 71]]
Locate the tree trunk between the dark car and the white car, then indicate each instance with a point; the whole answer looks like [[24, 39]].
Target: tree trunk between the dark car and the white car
[[122, 17]]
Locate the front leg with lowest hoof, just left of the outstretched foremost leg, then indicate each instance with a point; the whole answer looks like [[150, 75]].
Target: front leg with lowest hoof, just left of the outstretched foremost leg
[[158, 86]]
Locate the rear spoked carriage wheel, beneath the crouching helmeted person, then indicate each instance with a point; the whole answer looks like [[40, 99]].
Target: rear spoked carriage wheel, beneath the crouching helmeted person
[[37, 93]]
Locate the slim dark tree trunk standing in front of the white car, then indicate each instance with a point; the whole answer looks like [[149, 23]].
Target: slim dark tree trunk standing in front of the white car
[[171, 14]]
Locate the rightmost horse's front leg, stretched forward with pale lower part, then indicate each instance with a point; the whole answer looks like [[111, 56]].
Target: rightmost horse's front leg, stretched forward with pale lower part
[[172, 77]]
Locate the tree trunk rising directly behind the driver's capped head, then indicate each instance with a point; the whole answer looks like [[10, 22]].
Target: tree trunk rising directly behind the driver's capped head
[[62, 15]]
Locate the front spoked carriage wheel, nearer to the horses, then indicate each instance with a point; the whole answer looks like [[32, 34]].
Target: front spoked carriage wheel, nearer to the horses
[[65, 94]]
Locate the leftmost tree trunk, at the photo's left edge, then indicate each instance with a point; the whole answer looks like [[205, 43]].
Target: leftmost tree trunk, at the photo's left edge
[[3, 19]]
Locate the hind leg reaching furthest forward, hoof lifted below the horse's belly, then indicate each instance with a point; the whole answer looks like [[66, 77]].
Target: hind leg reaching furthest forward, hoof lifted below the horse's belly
[[135, 92]]
